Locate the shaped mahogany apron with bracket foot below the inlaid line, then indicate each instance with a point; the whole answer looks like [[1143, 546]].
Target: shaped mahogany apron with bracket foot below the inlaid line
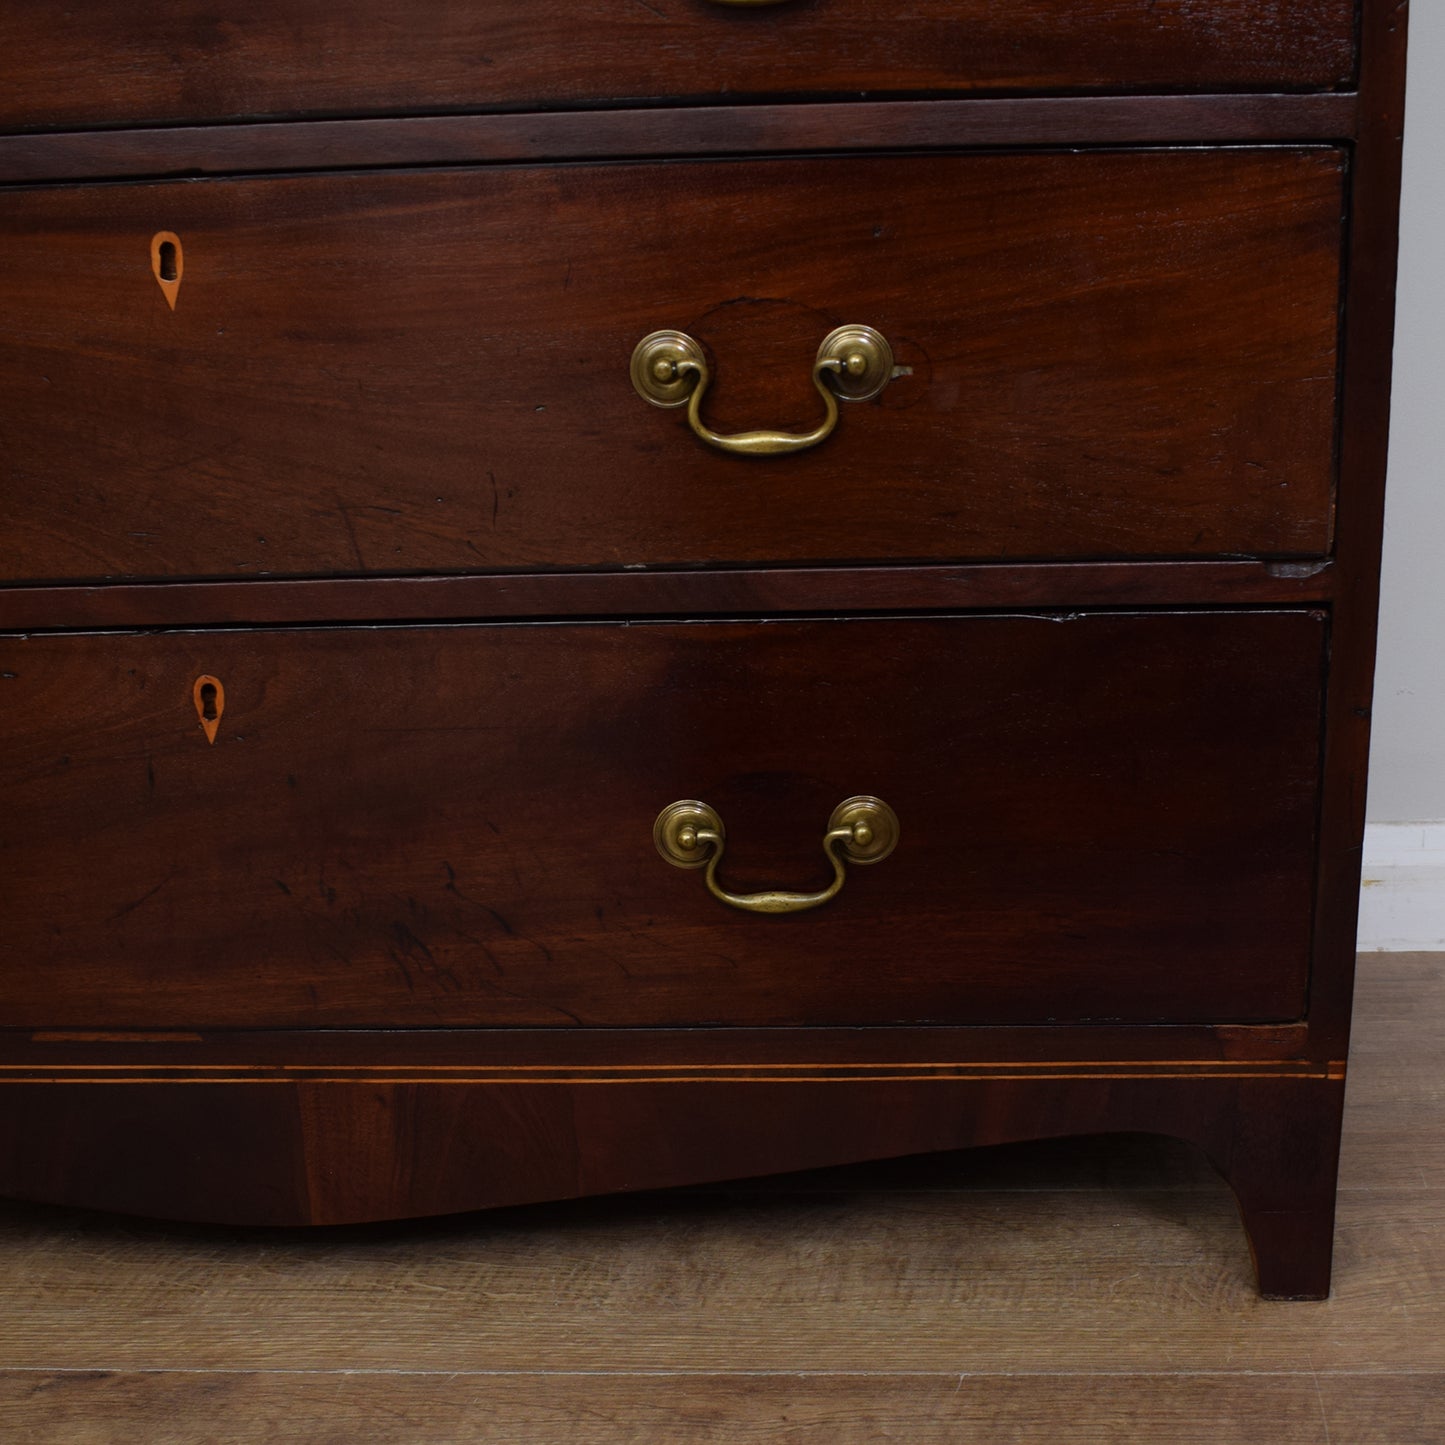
[[326, 1151]]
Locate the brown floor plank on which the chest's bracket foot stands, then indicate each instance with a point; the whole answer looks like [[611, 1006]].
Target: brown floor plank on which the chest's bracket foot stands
[[969, 1281]]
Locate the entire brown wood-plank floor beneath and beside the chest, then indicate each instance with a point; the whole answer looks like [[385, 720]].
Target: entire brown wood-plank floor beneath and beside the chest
[[1095, 1291]]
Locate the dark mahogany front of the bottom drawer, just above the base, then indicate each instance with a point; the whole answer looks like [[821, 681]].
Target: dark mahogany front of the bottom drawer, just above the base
[[1103, 817]]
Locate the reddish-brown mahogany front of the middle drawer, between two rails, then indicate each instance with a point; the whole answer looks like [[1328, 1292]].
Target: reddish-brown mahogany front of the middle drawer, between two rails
[[1108, 355]]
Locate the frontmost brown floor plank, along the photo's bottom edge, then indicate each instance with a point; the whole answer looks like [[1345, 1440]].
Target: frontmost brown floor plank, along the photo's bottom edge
[[411, 1410]]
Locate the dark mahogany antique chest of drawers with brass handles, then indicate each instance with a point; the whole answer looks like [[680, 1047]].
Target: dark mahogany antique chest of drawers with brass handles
[[486, 498]]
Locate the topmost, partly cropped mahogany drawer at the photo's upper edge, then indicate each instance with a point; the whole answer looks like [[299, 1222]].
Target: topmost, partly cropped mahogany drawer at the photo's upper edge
[[100, 63]]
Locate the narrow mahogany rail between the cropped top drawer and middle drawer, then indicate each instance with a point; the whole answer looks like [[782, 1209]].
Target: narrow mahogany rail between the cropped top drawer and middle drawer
[[569, 135]]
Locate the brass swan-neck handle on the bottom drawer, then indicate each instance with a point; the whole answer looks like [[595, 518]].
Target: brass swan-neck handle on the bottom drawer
[[691, 836]]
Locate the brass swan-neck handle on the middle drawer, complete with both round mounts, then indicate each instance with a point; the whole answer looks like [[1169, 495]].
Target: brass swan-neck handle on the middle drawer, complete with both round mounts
[[853, 363]]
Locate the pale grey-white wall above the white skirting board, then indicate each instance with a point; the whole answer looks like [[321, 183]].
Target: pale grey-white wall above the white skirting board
[[1408, 756]]
